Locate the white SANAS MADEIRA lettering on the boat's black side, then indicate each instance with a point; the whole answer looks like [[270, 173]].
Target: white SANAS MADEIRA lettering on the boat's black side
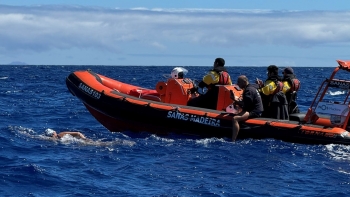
[[194, 118]]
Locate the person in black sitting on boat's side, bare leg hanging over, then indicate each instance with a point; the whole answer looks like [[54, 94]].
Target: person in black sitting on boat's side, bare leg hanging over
[[251, 104]]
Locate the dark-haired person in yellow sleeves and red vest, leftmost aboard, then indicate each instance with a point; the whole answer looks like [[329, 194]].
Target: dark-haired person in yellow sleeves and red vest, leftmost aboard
[[217, 76]]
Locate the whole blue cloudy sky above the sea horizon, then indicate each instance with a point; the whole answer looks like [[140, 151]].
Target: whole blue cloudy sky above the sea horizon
[[294, 33]]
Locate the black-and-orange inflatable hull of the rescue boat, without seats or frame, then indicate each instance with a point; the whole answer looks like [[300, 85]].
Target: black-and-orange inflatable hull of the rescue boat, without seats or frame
[[119, 111]]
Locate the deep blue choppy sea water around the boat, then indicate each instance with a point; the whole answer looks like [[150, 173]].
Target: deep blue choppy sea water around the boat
[[34, 98]]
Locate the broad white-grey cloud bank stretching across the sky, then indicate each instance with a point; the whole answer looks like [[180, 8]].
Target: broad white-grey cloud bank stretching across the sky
[[42, 28]]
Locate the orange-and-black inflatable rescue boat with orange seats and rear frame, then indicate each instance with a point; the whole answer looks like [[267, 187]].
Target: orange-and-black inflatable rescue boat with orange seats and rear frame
[[125, 107]]
